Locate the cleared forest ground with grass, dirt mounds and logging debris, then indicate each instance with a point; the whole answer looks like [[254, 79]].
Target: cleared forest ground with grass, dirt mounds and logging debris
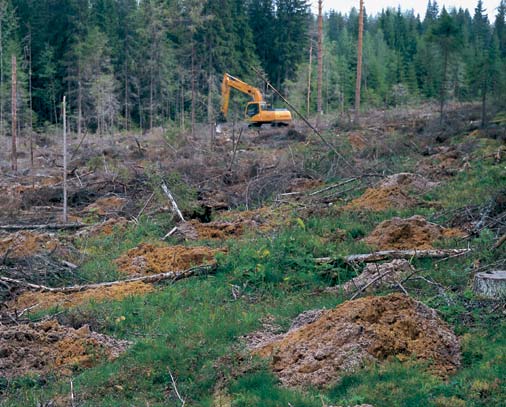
[[272, 310]]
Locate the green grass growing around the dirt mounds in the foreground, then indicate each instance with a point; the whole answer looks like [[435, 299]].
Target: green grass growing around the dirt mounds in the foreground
[[193, 327]]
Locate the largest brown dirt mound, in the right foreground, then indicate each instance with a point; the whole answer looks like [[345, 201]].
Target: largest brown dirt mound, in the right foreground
[[360, 331]]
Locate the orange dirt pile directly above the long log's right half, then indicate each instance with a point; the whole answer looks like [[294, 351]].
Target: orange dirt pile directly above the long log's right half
[[149, 259]]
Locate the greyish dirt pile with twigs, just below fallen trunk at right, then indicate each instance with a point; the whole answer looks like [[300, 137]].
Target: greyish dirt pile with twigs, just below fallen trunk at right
[[393, 272]]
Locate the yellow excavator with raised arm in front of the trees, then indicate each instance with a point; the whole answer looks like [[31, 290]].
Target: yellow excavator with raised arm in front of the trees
[[257, 112]]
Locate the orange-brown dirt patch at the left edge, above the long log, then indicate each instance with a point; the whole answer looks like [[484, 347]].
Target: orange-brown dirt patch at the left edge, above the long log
[[25, 244]]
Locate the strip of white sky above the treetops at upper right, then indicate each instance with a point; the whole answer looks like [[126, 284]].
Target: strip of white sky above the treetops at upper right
[[419, 6]]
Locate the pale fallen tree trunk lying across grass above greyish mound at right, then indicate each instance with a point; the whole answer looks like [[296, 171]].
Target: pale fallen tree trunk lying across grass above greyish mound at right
[[397, 254]]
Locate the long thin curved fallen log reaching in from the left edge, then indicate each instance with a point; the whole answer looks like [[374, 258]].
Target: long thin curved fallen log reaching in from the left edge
[[171, 275]]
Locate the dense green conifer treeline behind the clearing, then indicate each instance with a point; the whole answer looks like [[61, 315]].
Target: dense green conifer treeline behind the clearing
[[127, 64]]
